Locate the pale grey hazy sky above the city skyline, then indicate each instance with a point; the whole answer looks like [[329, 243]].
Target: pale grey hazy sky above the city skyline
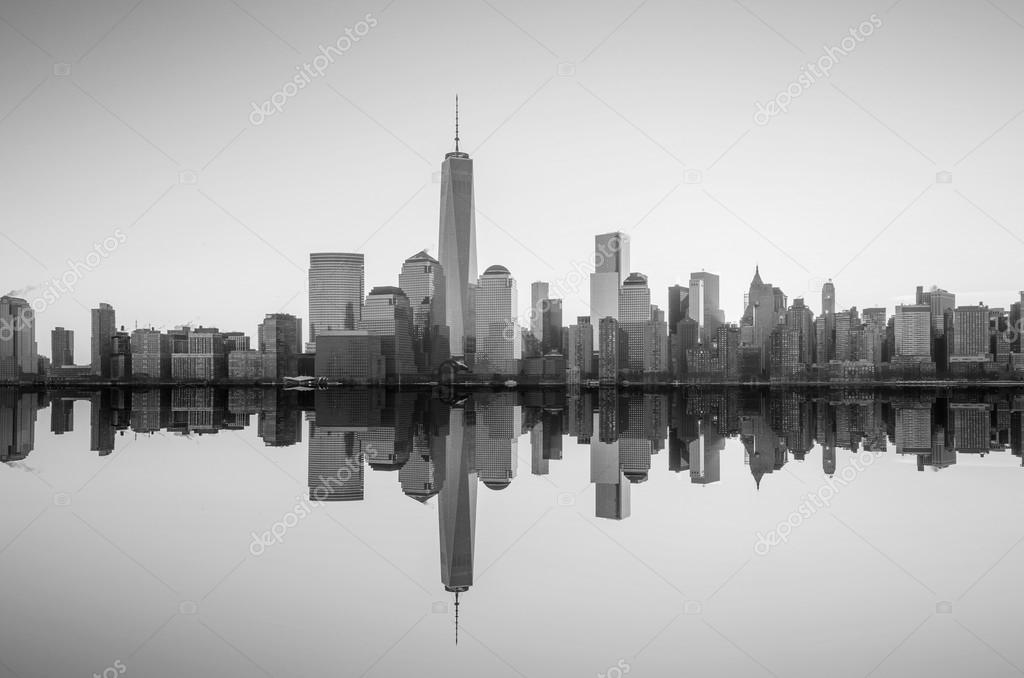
[[582, 117]]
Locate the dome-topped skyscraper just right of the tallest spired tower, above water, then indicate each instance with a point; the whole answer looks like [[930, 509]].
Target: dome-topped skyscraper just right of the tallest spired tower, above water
[[499, 340]]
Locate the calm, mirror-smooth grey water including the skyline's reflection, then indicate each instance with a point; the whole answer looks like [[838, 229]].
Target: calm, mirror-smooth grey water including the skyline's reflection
[[248, 533]]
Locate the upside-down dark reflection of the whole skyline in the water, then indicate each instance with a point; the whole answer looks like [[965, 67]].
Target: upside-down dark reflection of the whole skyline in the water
[[448, 448]]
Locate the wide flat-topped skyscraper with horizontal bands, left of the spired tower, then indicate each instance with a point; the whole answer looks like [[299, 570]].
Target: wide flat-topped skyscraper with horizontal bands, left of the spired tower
[[336, 291]]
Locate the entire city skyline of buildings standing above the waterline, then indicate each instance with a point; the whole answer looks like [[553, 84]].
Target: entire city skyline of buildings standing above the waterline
[[444, 310]]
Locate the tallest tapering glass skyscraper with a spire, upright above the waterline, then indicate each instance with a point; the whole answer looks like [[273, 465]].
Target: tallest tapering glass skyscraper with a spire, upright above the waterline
[[457, 245]]
